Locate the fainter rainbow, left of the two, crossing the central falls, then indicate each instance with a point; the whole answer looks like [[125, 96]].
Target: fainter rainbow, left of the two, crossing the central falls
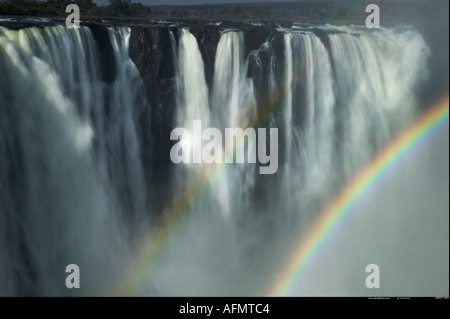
[[155, 243]]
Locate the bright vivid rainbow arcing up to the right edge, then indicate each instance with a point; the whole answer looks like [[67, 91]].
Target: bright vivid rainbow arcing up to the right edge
[[342, 205]]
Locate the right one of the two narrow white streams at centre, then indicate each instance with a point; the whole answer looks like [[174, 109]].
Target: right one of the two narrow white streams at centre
[[233, 102]]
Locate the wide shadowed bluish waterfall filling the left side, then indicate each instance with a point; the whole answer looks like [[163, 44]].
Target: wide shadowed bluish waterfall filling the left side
[[71, 170]]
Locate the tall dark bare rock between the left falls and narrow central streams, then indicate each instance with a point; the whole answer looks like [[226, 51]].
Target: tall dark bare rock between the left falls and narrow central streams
[[151, 51]]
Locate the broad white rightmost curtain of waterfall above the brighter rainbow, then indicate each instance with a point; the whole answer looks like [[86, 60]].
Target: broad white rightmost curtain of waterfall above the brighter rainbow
[[379, 63]]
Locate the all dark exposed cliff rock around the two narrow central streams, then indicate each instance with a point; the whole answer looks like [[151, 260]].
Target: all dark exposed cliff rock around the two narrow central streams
[[153, 49]]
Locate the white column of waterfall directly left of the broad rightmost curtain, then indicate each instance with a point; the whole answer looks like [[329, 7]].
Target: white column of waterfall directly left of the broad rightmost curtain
[[315, 130]]
